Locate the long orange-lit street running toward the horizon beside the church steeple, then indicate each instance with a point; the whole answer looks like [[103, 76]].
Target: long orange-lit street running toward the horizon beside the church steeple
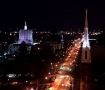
[[63, 79]]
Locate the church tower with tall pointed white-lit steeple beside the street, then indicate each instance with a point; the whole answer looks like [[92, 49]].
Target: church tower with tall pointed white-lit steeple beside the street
[[85, 74]]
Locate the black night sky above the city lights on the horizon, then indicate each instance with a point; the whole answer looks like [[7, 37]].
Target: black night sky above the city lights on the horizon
[[43, 14]]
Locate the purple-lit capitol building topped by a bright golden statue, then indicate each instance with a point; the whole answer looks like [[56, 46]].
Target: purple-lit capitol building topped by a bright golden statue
[[26, 36]]
